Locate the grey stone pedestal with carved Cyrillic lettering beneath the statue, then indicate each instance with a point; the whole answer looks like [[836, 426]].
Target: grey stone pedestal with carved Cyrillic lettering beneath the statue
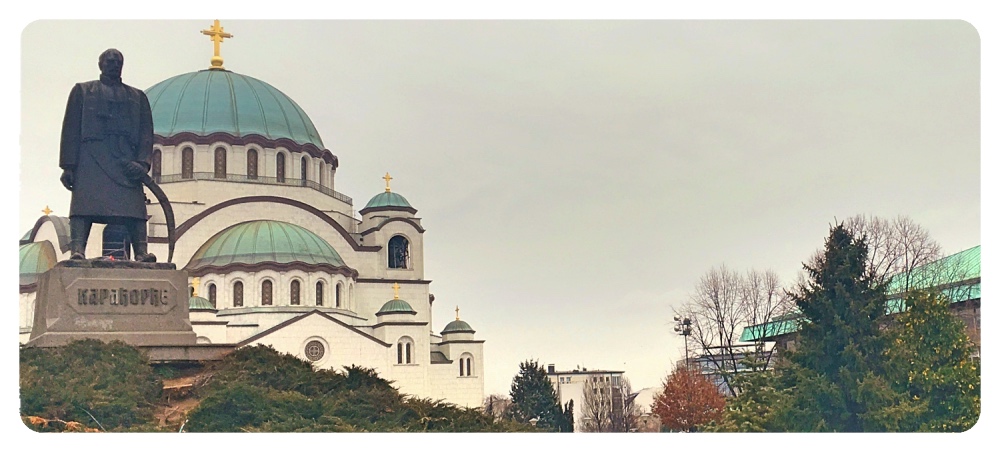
[[139, 303]]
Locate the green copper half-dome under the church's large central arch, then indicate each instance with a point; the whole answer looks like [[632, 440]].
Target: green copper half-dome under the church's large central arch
[[261, 241]]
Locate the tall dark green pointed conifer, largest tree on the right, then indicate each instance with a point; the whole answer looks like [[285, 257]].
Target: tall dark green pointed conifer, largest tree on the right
[[837, 369]]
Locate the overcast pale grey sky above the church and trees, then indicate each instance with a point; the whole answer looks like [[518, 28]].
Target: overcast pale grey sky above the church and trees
[[576, 179]]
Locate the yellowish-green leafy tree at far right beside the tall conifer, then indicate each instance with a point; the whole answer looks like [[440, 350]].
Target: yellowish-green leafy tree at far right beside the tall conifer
[[931, 362]]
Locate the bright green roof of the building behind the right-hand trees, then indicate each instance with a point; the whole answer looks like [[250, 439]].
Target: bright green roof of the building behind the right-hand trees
[[957, 273]]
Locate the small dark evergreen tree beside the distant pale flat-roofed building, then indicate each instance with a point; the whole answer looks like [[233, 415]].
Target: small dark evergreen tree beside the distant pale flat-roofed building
[[533, 397]]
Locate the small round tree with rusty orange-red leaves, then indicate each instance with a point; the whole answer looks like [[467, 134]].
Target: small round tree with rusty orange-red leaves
[[688, 400]]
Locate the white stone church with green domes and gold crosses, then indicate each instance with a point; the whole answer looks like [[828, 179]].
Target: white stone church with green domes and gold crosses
[[274, 254]]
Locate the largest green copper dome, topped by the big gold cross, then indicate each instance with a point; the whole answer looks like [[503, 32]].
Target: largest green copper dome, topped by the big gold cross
[[209, 101]]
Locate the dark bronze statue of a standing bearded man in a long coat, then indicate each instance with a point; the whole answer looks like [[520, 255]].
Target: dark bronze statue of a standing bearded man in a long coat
[[107, 139]]
